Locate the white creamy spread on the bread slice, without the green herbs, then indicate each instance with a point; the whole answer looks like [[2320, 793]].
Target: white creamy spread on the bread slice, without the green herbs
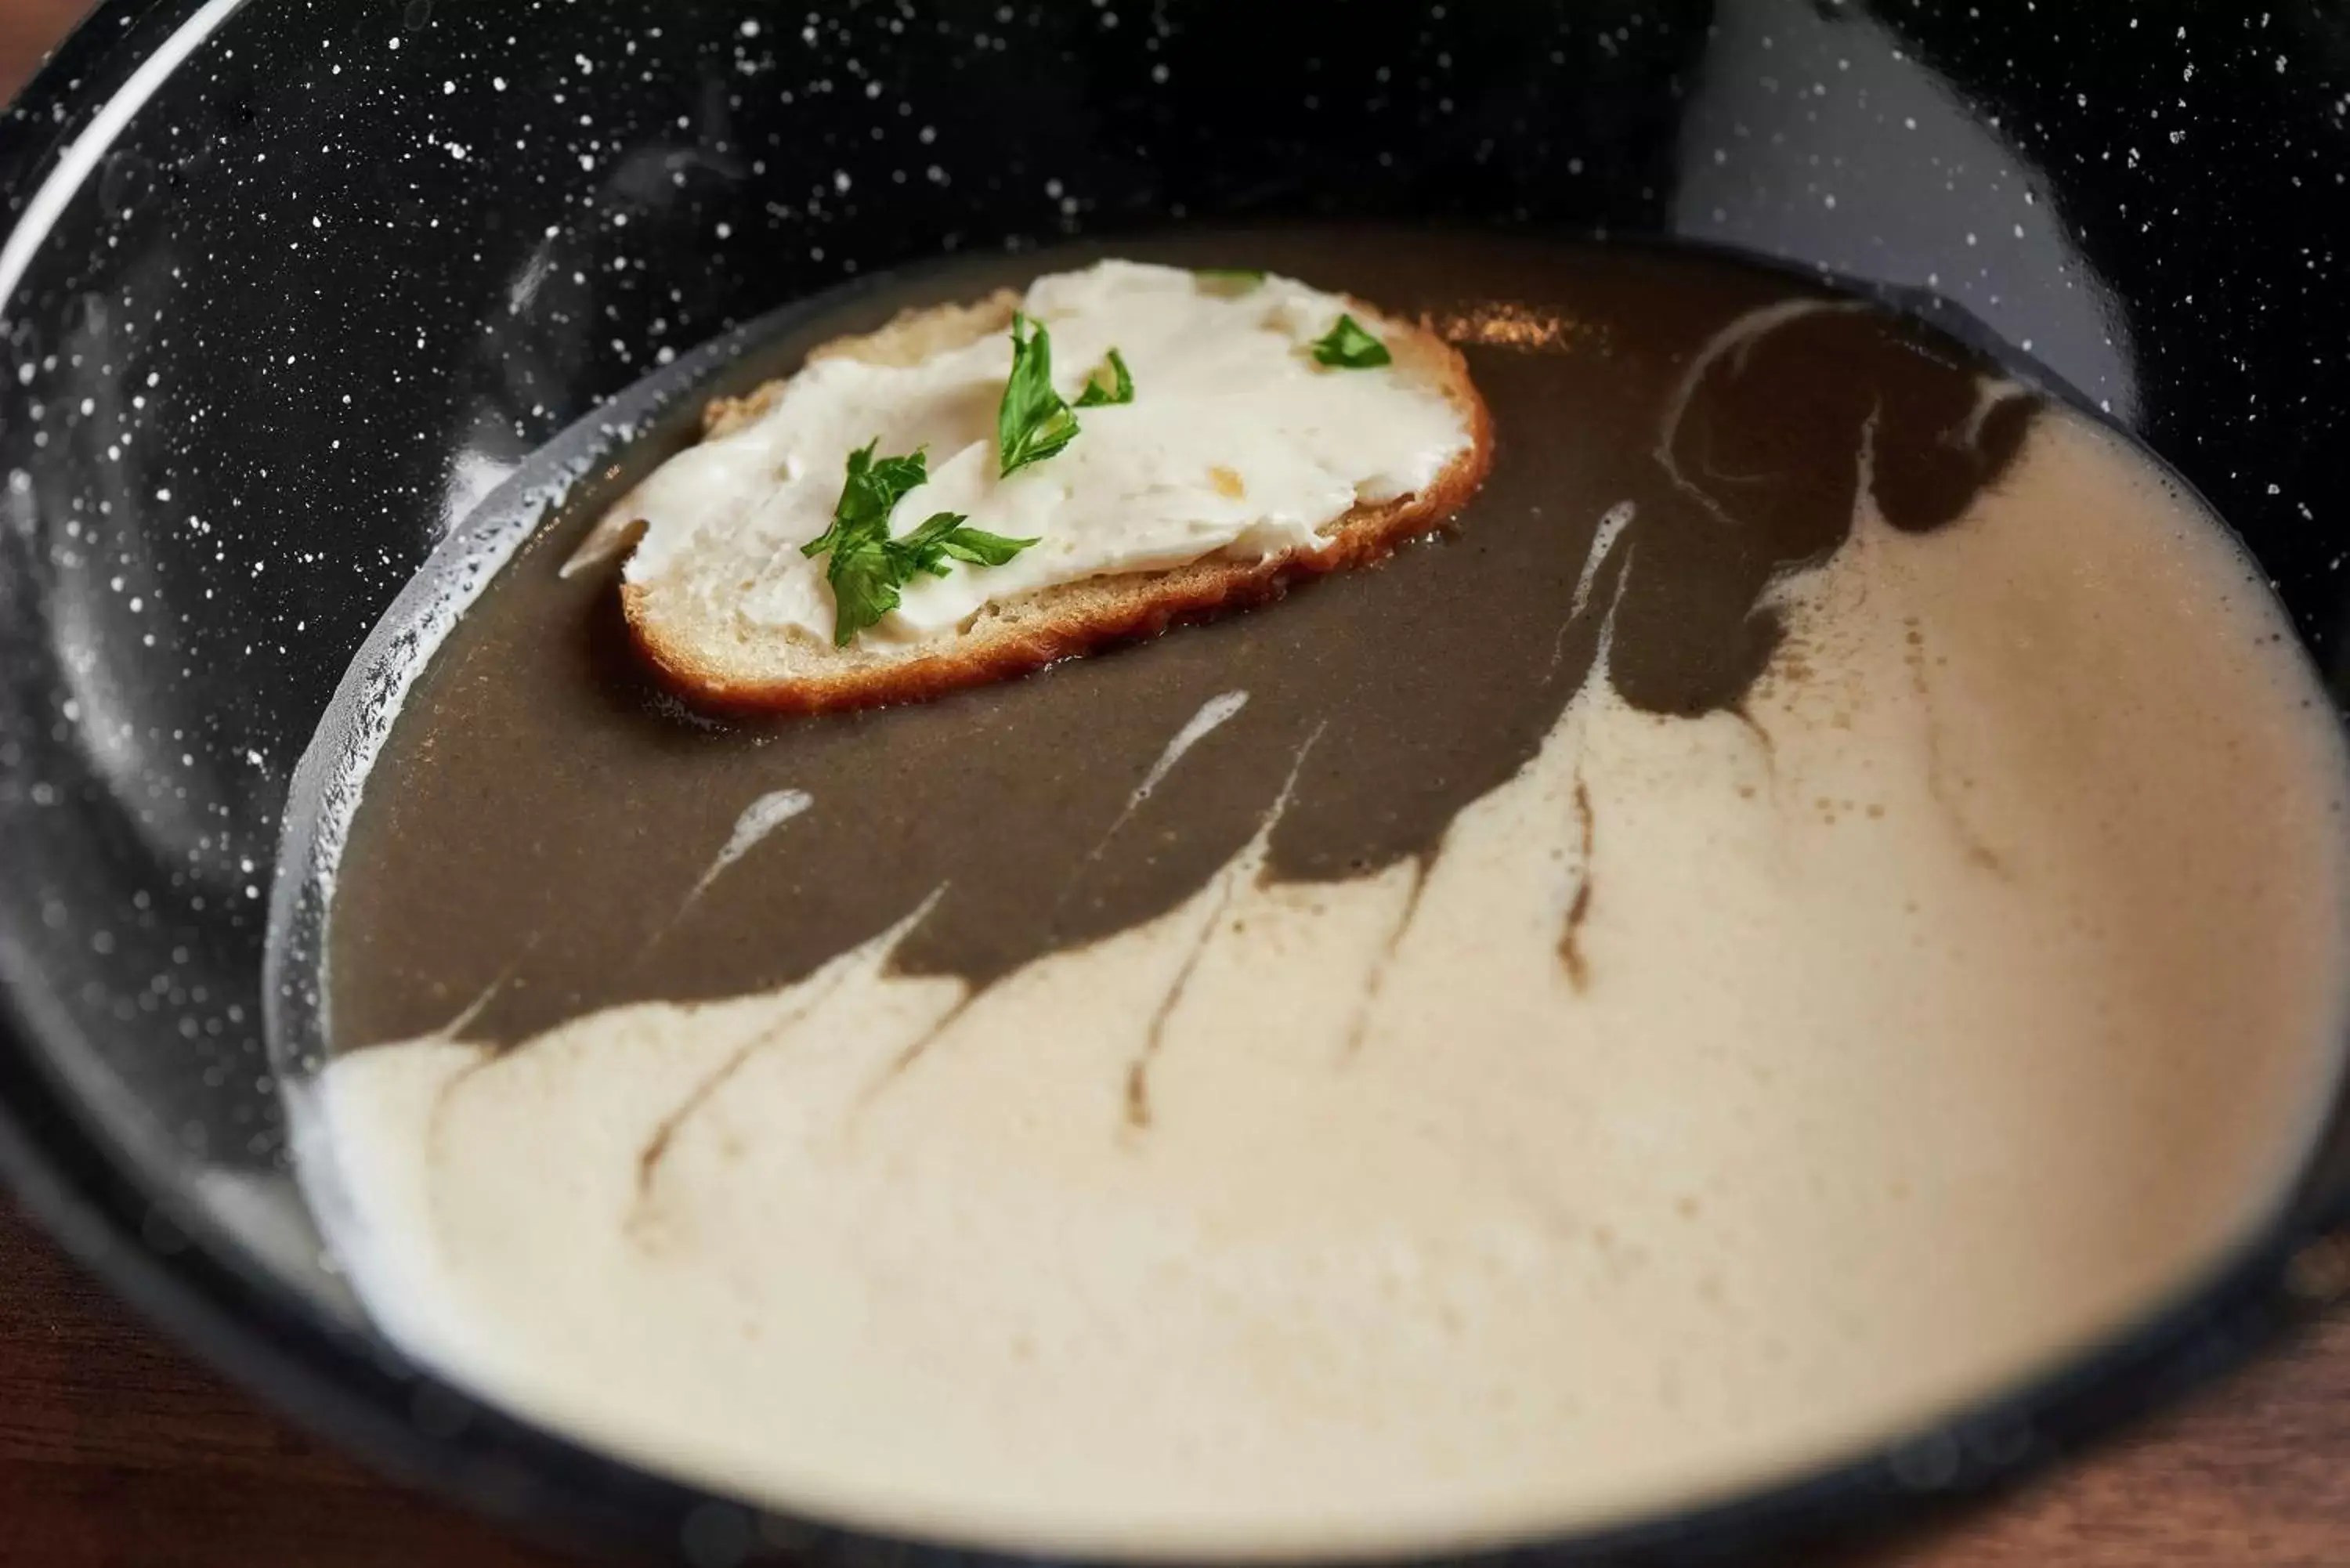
[[1237, 443]]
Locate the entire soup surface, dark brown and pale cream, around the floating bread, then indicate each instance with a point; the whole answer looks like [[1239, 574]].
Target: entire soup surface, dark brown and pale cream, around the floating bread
[[1818, 897]]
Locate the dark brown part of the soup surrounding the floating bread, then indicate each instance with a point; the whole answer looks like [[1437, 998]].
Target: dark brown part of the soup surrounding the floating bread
[[542, 812]]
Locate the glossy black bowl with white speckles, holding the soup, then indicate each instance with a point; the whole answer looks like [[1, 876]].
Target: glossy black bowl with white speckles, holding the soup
[[288, 288]]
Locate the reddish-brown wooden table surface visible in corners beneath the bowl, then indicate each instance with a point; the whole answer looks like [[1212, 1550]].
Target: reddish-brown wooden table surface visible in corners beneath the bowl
[[116, 1452]]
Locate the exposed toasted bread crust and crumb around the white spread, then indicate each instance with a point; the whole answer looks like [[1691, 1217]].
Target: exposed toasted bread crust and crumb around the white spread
[[716, 662]]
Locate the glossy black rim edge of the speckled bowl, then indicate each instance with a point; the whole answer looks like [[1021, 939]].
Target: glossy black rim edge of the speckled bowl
[[368, 1398]]
